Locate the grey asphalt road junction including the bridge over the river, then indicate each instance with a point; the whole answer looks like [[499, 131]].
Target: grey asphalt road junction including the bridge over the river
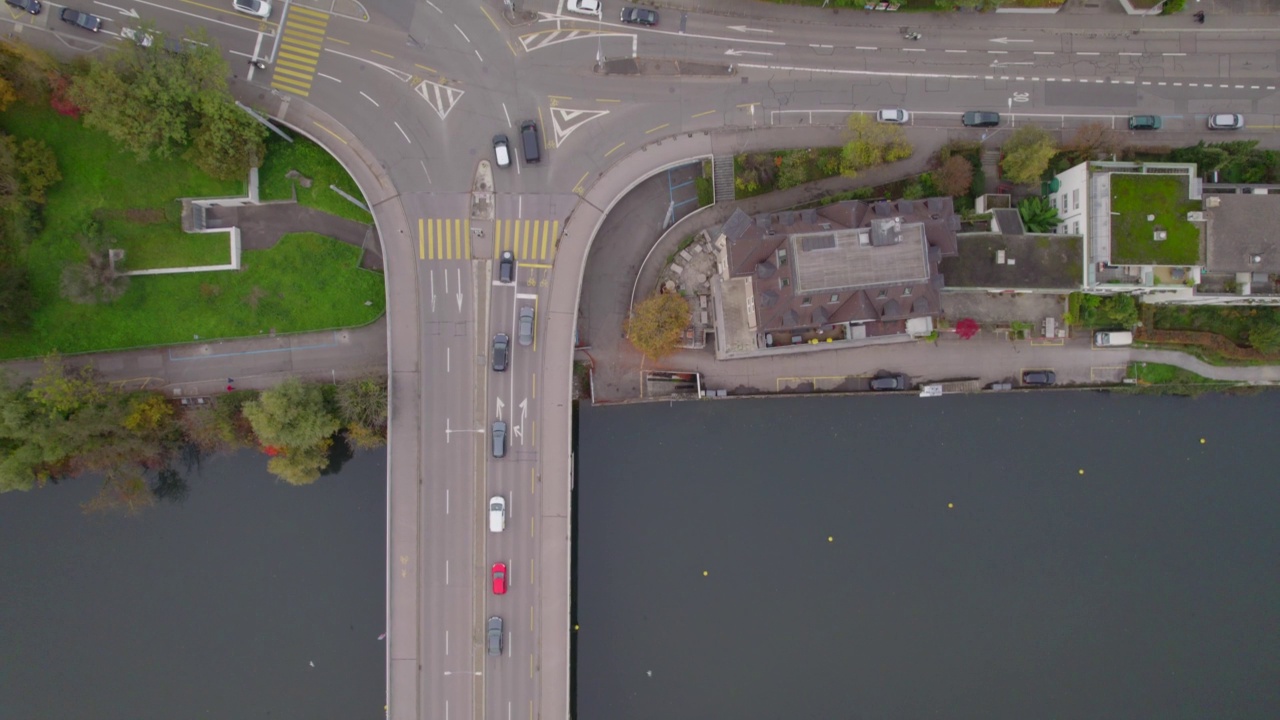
[[409, 98]]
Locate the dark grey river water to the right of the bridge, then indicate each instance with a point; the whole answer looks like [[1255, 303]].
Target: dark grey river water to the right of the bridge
[[893, 558]]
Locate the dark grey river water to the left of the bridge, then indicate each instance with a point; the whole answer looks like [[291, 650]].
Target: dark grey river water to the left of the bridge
[[212, 609]]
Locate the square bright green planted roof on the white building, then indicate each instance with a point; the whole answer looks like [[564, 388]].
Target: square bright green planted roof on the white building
[[1133, 198]]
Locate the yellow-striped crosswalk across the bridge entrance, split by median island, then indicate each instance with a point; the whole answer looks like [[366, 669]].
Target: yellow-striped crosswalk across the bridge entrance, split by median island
[[450, 239]]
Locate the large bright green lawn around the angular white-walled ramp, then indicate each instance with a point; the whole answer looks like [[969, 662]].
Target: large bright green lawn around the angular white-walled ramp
[[307, 282]]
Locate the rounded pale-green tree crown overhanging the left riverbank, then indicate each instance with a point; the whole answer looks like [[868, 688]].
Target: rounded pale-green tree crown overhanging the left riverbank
[[292, 416]]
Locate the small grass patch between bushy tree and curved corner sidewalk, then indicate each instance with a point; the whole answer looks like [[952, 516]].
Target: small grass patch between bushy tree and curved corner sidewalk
[[314, 163]]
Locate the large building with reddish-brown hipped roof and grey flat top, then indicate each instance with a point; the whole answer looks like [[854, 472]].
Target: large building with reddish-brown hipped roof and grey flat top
[[848, 272]]
